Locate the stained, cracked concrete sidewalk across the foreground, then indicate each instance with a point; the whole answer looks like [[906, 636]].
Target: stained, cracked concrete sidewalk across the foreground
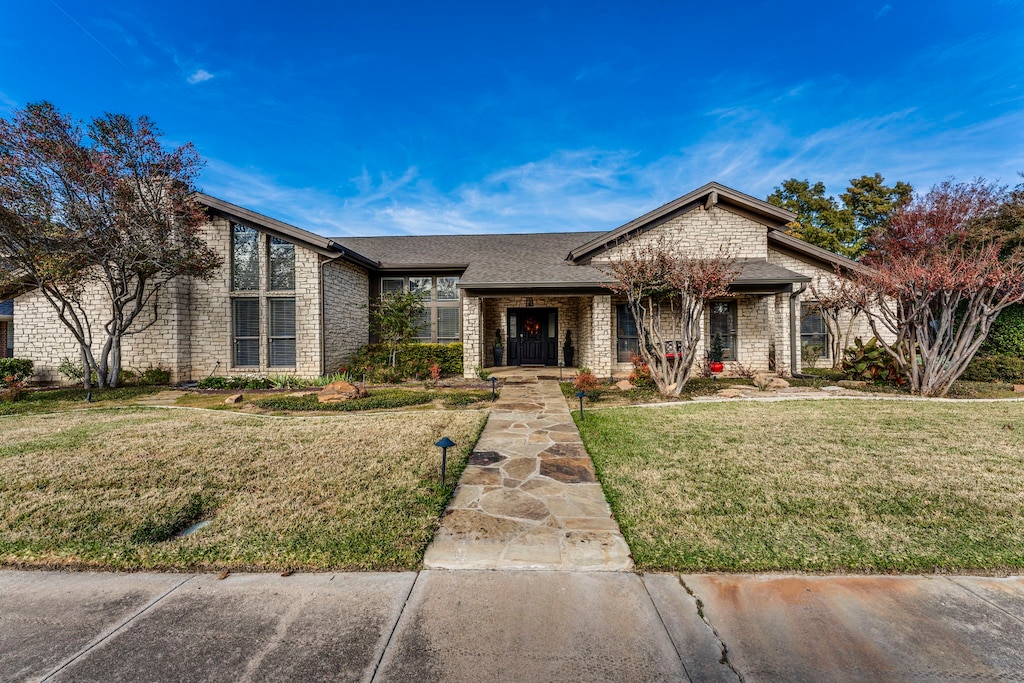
[[508, 626]]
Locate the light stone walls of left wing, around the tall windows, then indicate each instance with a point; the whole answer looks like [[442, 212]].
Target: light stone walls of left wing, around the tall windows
[[193, 333]]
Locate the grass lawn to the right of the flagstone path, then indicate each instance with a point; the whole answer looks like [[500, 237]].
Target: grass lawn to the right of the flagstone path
[[816, 486]]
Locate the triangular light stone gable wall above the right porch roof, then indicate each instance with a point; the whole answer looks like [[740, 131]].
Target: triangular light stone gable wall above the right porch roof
[[701, 232]]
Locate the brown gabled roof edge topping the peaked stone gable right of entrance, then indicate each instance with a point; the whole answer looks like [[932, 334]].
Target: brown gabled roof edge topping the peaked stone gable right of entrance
[[708, 196]]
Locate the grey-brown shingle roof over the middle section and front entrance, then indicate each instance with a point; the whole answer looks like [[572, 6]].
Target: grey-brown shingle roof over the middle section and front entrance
[[490, 261]]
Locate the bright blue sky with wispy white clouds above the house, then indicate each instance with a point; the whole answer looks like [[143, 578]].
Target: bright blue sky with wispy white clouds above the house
[[379, 118]]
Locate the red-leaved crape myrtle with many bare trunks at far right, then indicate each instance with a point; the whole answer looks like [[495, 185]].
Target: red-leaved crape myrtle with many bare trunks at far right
[[940, 275]]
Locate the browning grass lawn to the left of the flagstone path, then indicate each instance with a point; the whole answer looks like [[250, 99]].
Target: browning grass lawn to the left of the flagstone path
[[113, 489]]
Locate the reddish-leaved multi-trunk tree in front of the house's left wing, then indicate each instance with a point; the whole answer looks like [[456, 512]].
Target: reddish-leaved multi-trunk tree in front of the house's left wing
[[100, 219]]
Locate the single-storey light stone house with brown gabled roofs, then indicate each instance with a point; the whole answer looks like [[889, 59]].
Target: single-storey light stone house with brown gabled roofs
[[291, 302]]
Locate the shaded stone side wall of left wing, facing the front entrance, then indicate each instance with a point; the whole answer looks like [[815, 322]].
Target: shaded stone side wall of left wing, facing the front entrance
[[347, 315]]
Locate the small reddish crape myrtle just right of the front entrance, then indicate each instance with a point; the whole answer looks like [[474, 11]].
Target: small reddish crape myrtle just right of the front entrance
[[667, 292]]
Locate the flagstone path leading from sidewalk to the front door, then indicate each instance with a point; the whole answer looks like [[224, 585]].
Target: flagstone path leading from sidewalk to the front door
[[529, 498]]
